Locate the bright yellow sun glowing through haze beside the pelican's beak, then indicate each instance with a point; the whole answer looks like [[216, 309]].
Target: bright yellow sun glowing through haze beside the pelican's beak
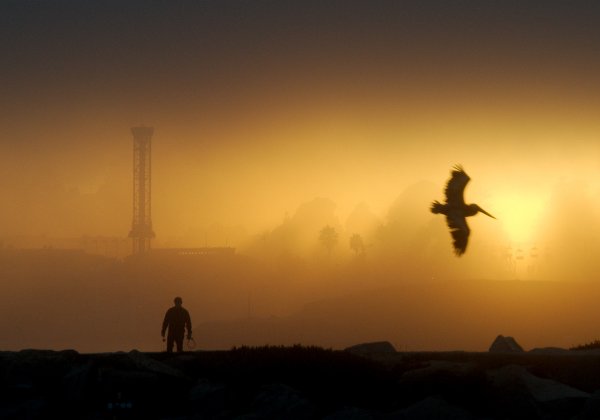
[[519, 215]]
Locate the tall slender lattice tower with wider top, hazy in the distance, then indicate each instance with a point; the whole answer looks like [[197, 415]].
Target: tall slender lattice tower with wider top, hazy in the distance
[[141, 228]]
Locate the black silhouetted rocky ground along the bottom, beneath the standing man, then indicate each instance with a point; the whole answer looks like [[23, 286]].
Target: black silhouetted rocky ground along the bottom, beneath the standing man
[[299, 383]]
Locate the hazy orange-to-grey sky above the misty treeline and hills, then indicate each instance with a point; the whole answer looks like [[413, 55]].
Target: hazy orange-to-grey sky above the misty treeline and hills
[[259, 106]]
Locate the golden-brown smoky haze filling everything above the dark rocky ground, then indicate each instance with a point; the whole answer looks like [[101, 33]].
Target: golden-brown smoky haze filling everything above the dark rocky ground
[[274, 121]]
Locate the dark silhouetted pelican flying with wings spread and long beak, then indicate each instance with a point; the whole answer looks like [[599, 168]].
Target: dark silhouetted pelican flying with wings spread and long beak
[[456, 210]]
